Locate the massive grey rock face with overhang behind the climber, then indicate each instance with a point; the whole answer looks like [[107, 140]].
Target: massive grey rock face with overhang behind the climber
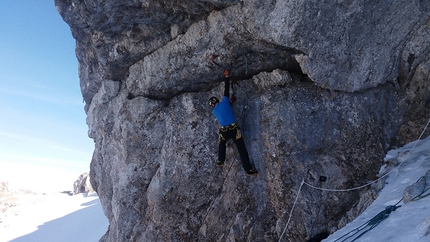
[[325, 88]]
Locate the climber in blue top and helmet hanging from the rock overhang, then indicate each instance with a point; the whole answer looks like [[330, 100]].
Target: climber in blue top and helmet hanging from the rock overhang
[[229, 130]]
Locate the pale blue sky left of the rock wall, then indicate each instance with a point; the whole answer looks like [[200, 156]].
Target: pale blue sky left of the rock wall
[[42, 119]]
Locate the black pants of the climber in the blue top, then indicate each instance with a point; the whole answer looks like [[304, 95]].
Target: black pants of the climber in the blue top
[[232, 132]]
